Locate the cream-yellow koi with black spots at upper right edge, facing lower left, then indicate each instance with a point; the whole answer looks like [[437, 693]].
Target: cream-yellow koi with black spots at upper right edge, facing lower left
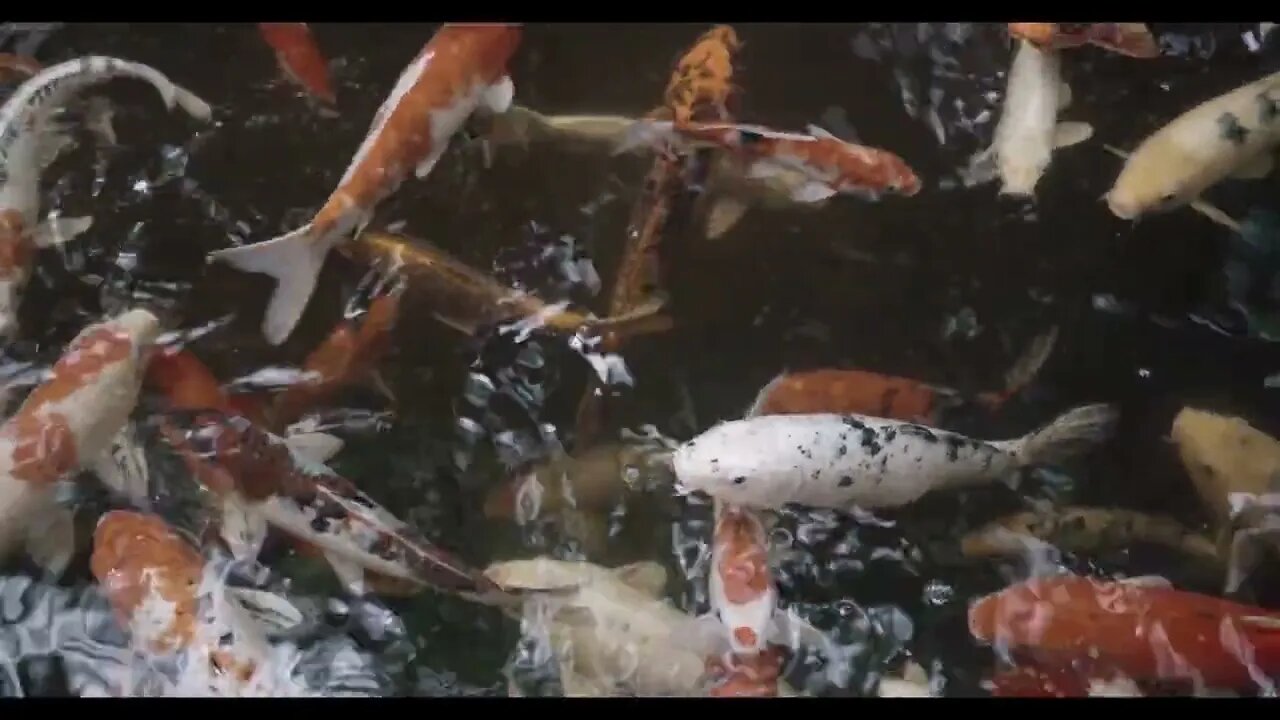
[[1233, 135]]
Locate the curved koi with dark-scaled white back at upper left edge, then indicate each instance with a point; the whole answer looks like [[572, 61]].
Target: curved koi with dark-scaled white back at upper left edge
[[33, 138]]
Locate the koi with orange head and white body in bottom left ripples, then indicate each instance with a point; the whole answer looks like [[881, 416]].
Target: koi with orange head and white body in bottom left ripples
[[179, 608]]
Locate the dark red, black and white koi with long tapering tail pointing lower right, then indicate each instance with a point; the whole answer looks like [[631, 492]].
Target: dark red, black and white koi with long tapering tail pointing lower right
[[263, 481]]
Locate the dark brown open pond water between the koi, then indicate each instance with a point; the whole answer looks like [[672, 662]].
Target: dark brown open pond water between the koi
[[874, 286]]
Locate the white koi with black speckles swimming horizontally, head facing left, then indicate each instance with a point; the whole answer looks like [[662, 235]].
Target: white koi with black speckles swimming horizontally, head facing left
[[845, 462]]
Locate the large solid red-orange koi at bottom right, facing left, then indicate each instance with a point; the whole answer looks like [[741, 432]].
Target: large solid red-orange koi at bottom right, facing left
[[1144, 628]]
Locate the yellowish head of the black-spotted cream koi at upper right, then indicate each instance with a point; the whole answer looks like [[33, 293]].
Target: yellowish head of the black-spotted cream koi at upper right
[[1159, 176]]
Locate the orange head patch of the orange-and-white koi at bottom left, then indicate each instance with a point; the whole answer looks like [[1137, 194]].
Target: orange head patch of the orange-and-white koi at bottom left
[[136, 555]]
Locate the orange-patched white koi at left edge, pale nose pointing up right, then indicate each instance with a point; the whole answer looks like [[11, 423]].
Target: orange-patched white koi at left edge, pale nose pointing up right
[[65, 426]]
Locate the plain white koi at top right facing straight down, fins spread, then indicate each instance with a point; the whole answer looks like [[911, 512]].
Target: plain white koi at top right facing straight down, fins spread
[[1028, 130]]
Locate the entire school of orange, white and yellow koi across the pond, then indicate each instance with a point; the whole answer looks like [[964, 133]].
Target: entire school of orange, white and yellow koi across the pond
[[207, 481]]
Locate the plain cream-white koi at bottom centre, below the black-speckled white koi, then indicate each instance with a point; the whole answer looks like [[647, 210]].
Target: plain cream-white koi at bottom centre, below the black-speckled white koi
[[610, 628]]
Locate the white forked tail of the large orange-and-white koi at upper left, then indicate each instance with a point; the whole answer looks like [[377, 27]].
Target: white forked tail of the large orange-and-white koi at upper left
[[295, 261]]
